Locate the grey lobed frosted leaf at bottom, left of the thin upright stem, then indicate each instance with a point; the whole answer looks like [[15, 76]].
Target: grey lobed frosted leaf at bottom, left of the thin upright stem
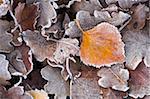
[[56, 84]]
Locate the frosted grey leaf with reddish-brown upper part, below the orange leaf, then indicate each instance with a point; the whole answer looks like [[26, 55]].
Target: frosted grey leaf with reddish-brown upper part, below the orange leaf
[[86, 86]]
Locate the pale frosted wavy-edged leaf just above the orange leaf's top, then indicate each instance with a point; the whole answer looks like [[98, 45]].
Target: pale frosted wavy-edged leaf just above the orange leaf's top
[[115, 18]]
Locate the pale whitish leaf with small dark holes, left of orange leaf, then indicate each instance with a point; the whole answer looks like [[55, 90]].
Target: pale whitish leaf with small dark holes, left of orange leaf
[[65, 48]]
